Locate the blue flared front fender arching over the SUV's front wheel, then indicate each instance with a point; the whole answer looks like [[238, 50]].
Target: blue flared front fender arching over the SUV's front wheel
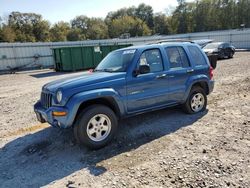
[[76, 100]]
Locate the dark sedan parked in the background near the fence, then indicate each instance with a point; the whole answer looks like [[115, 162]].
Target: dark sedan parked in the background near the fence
[[221, 49]]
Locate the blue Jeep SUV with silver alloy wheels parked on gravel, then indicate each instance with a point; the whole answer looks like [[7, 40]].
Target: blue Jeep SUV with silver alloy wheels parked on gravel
[[127, 82]]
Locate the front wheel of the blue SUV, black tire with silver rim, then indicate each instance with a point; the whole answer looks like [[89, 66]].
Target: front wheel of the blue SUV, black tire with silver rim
[[96, 126]]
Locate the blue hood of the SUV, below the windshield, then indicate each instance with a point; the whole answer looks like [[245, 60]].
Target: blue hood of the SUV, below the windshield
[[72, 83]]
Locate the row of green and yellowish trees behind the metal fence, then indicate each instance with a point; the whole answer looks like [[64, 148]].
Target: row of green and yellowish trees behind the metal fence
[[196, 16]]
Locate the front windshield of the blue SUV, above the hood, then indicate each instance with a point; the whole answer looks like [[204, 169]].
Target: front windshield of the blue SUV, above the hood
[[116, 61]]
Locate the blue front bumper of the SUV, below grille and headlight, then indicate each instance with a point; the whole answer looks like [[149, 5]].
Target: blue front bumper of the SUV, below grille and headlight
[[45, 115]]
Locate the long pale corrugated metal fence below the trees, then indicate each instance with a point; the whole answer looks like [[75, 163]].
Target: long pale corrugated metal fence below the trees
[[24, 55]]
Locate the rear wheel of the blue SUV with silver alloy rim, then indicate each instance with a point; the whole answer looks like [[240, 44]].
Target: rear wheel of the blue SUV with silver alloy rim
[[196, 101]]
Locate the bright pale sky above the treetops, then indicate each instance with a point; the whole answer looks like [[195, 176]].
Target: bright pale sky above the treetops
[[66, 10]]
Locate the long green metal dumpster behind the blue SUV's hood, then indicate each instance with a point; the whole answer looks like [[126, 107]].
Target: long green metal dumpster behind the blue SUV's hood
[[81, 58]]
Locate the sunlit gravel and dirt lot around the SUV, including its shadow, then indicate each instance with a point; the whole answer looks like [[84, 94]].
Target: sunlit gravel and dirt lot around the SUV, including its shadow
[[166, 148]]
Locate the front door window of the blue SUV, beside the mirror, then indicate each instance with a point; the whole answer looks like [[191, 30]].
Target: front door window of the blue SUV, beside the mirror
[[153, 59]]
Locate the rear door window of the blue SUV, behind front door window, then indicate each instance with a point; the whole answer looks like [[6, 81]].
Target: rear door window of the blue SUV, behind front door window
[[177, 57]]
